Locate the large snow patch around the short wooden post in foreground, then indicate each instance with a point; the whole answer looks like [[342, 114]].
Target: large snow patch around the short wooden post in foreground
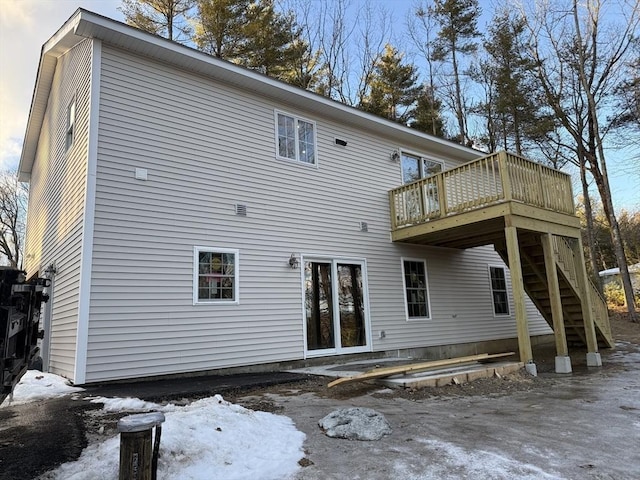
[[210, 438]]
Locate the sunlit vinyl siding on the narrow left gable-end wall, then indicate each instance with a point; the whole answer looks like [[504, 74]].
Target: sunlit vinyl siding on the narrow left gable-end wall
[[56, 200]]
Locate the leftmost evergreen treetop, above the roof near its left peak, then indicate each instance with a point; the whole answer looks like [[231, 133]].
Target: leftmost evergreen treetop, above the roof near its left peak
[[160, 17]]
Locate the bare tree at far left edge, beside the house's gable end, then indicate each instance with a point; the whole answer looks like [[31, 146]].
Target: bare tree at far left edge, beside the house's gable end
[[13, 207]]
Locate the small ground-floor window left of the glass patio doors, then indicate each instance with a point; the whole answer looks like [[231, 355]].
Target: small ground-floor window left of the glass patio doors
[[215, 275]]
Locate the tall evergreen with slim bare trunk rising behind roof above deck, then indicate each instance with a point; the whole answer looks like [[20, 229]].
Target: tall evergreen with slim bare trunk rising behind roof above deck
[[458, 29]]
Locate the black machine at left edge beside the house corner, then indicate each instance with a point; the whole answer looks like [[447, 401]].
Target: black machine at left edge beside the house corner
[[20, 302]]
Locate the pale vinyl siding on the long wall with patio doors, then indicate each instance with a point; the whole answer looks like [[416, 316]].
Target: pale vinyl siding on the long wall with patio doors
[[207, 147]]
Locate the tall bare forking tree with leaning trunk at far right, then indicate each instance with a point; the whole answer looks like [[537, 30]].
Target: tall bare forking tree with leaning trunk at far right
[[579, 63]]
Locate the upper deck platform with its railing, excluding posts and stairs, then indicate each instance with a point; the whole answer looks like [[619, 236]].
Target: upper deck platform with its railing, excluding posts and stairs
[[470, 205]]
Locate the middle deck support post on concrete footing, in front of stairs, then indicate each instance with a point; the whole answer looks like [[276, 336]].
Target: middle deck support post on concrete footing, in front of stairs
[[563, 361]]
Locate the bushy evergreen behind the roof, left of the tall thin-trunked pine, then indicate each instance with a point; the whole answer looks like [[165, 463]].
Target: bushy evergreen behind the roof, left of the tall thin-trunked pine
[[393, 89]]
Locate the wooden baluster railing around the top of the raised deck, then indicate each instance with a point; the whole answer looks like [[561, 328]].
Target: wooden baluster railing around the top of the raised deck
[[493, 179]]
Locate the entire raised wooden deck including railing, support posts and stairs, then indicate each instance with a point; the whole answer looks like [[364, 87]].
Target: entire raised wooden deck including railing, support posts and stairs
[[526, 211]]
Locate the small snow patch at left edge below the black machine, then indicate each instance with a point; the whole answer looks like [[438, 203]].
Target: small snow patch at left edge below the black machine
[[35, 385]]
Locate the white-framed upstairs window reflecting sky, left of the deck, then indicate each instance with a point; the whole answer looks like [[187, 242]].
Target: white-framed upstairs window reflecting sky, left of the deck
[[296, 139]]
